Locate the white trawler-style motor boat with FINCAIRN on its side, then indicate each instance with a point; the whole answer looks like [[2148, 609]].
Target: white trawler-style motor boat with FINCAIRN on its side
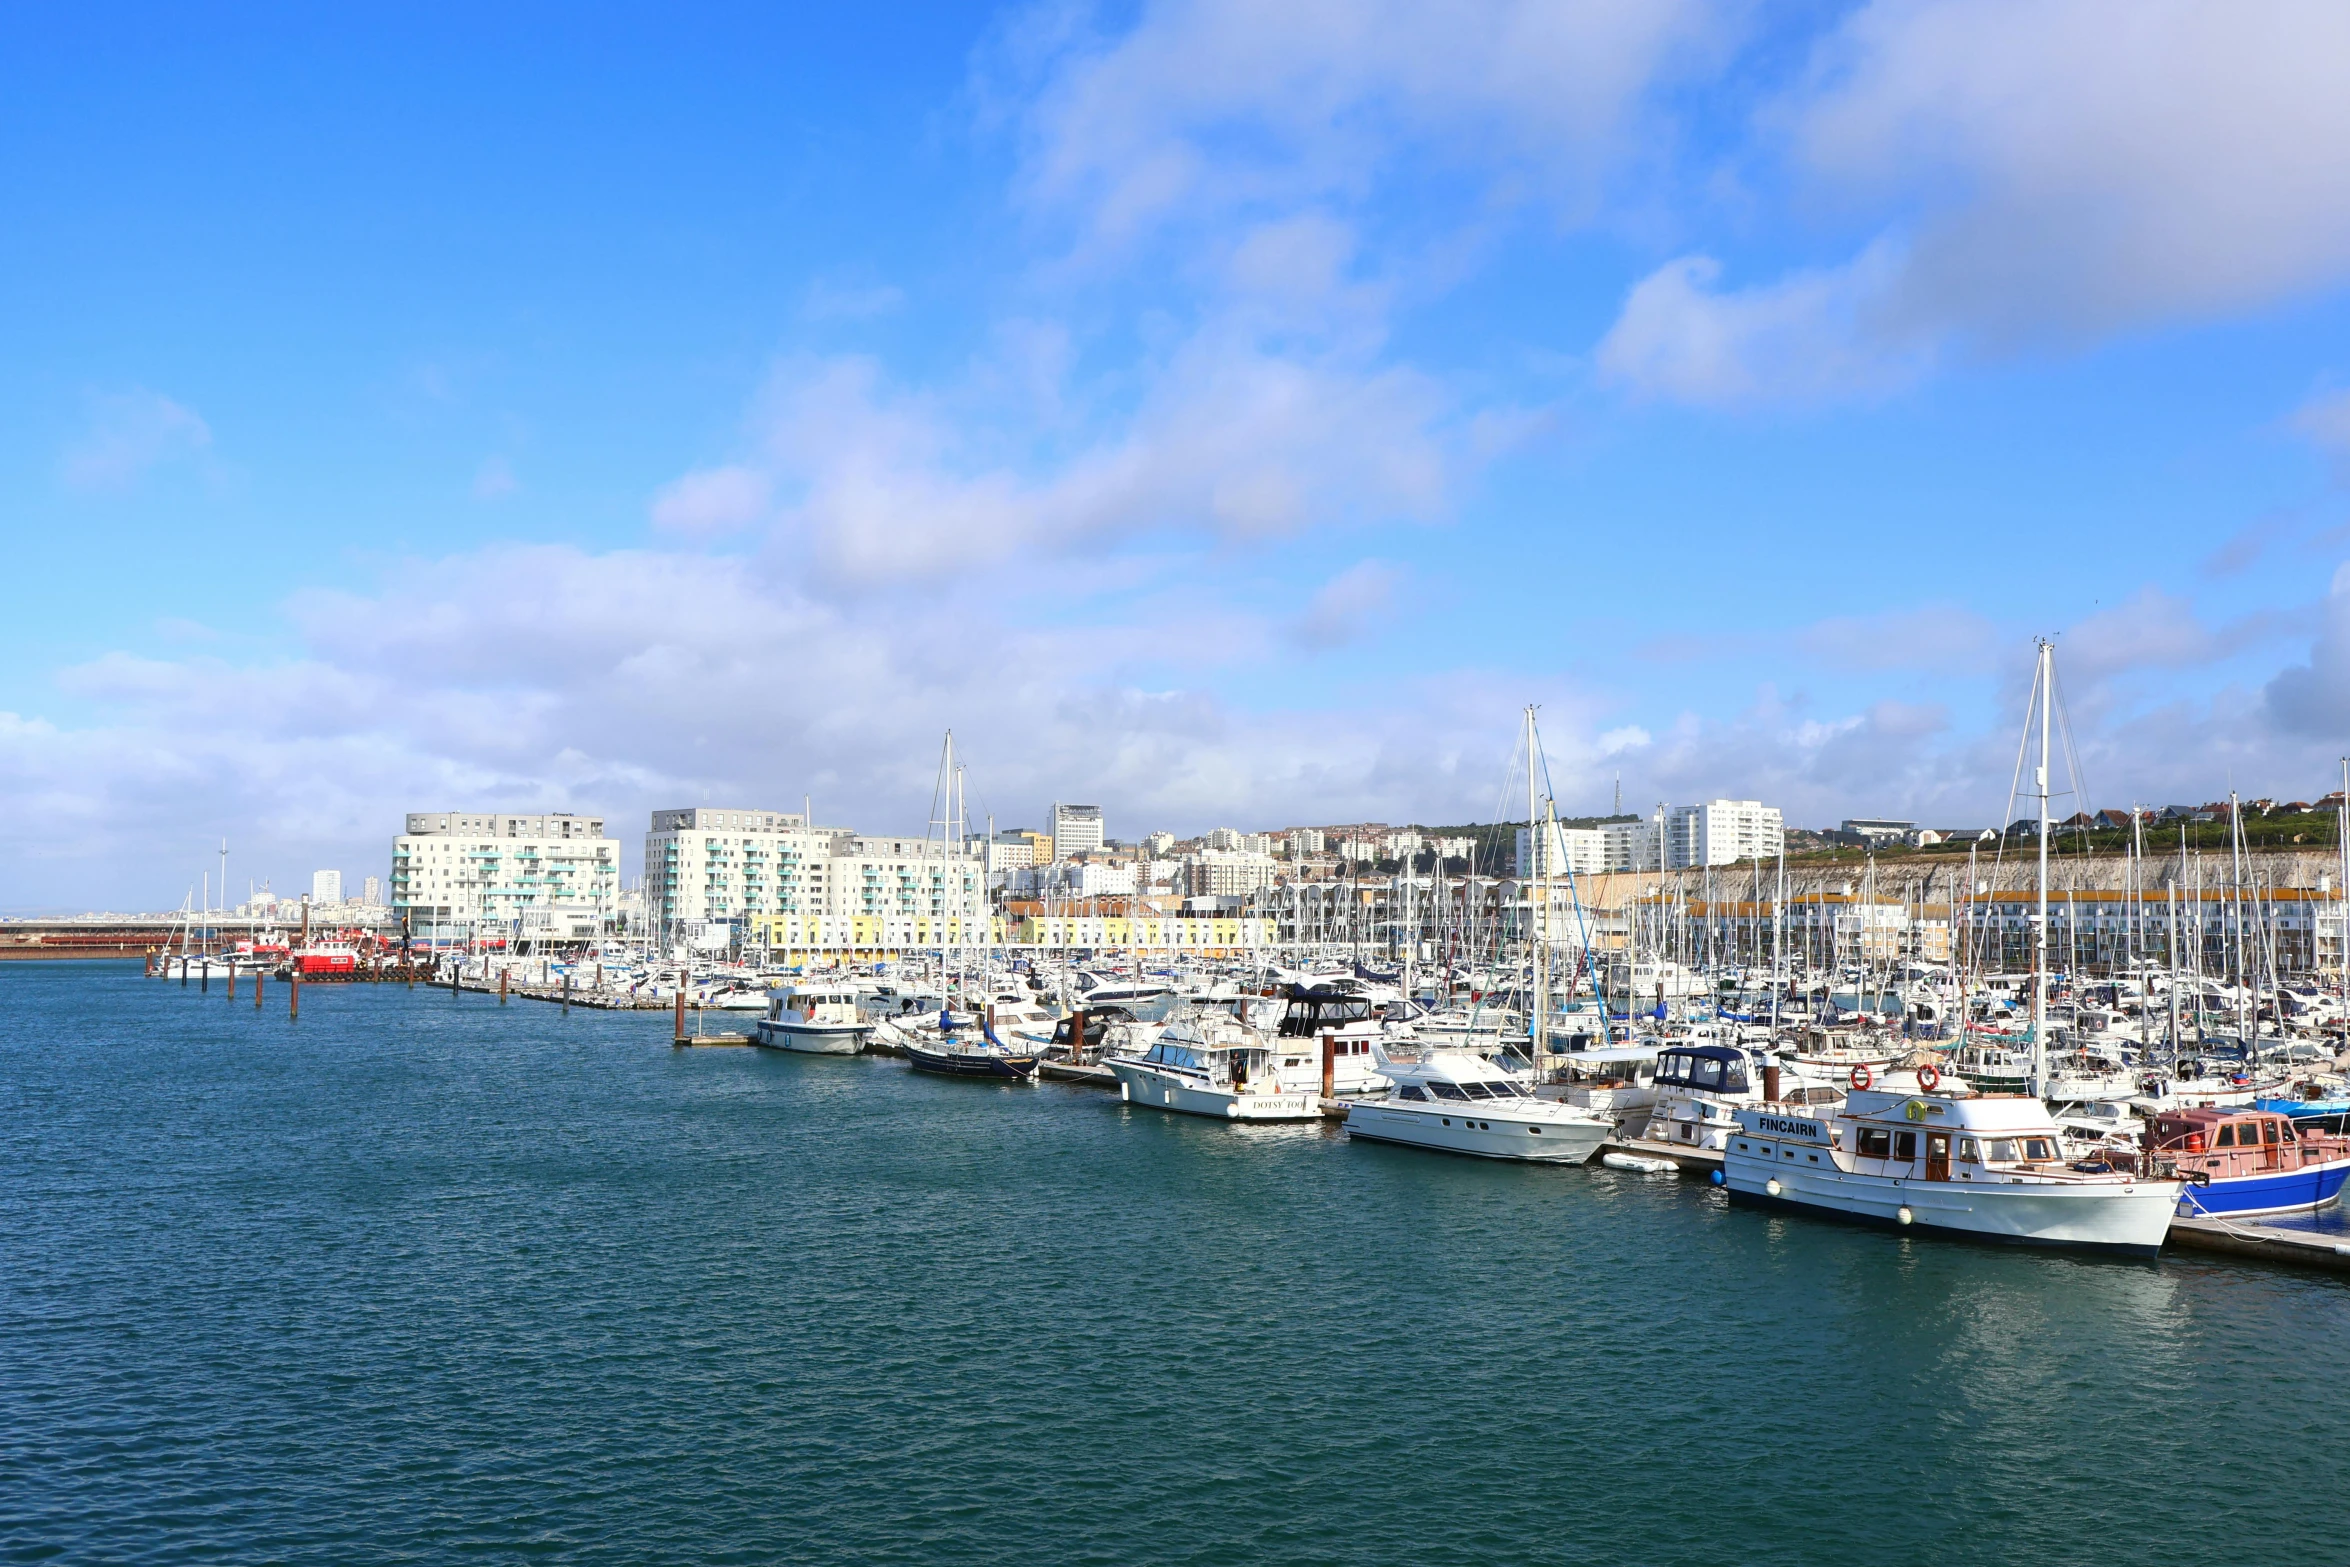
[[1987, 1166]]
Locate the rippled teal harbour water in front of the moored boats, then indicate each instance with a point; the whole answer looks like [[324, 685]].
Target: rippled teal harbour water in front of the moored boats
[[422, 1279]]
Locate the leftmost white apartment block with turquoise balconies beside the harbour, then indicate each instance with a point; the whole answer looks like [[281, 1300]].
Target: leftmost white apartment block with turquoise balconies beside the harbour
[[497, 875]]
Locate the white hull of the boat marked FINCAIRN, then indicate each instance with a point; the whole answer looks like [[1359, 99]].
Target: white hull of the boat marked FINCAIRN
[[2095, 1216]]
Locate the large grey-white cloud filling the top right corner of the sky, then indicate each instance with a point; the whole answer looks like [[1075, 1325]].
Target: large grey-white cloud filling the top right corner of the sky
[[2076, 168]]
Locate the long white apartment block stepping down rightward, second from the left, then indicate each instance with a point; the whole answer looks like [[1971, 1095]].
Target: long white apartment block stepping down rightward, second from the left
[[739, 866]]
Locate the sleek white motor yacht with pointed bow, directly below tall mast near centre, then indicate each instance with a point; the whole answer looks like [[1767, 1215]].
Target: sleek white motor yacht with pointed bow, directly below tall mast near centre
[[1461, 1103]]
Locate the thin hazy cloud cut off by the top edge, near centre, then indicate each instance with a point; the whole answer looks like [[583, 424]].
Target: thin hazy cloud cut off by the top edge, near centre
[[1216, 105]]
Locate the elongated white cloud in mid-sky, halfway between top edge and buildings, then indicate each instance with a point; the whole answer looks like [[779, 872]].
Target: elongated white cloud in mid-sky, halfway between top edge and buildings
[[1228, 440]]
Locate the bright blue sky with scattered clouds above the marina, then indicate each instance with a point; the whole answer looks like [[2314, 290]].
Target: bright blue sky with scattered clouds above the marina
[[1228, 415]]
